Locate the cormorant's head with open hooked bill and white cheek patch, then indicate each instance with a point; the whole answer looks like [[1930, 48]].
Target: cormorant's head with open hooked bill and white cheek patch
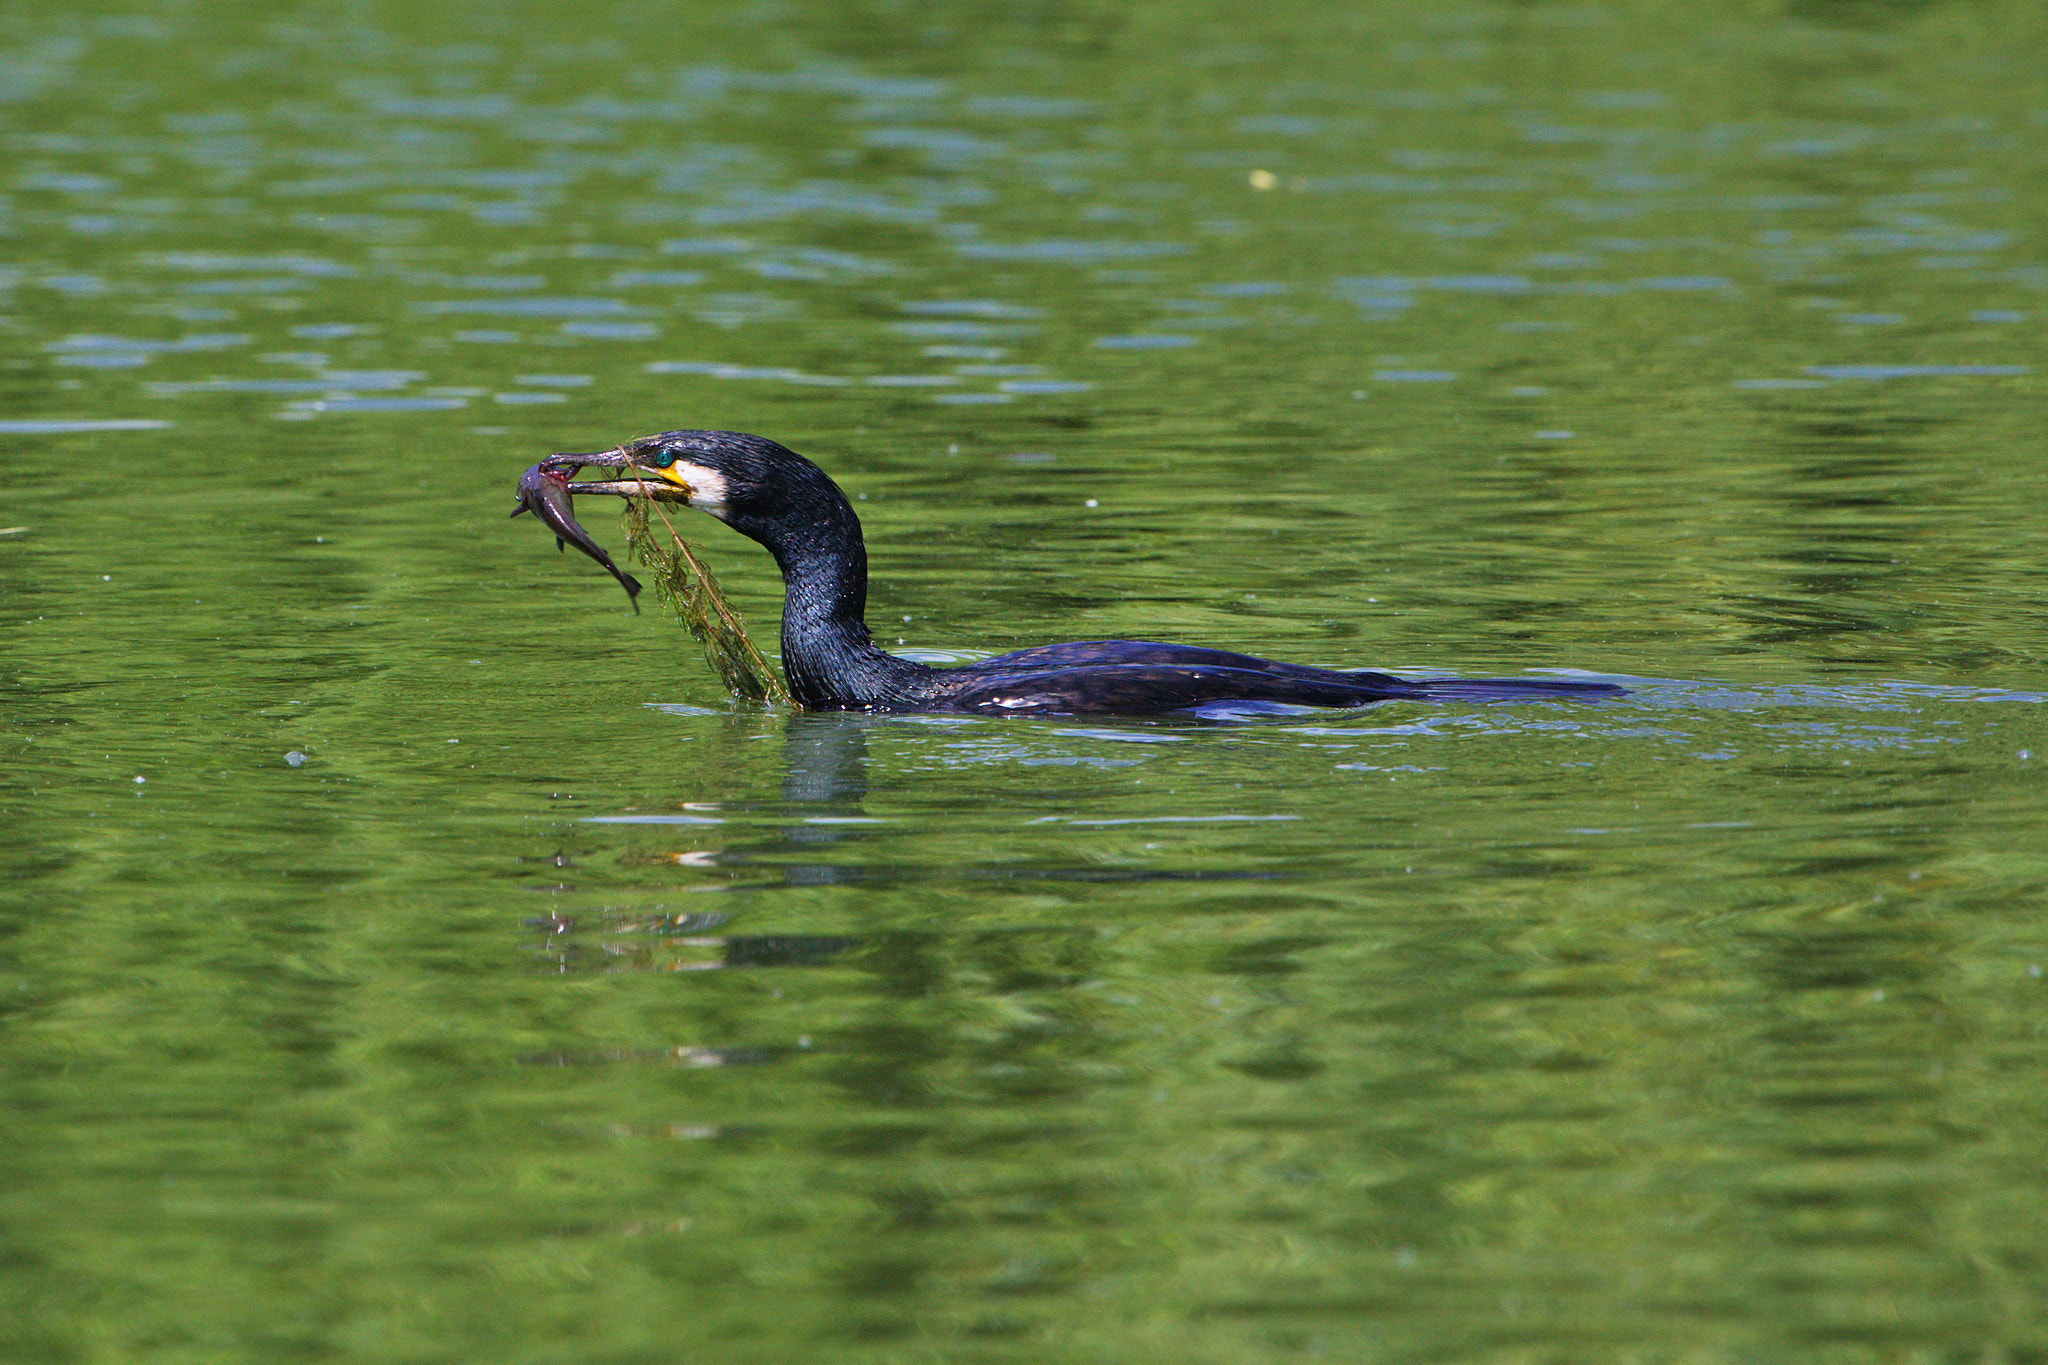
[[749, 482]]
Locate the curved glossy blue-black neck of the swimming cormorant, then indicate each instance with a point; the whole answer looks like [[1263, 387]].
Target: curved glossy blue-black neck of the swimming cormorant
[[828, 654]]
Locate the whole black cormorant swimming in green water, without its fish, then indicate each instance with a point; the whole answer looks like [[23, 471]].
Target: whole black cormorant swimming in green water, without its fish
[[833, 662]]
